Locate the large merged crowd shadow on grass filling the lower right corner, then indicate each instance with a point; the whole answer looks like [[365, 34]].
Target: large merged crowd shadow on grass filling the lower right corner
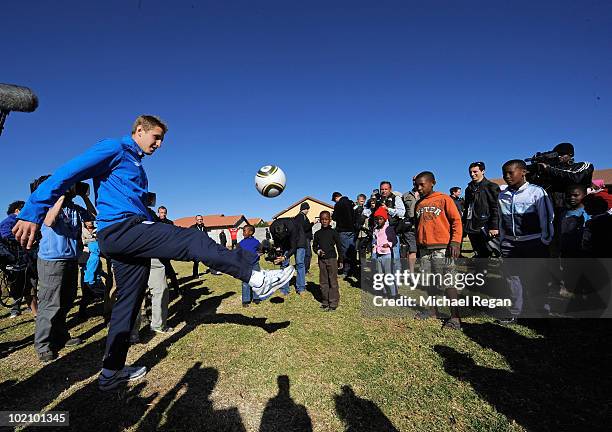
[[557, 382]]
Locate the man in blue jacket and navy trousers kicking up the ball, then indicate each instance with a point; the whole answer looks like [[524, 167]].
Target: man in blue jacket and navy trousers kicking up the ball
[[130, 238]]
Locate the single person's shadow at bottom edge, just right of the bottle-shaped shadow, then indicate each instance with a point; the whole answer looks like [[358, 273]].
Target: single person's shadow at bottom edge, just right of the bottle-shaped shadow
[[359, 414]]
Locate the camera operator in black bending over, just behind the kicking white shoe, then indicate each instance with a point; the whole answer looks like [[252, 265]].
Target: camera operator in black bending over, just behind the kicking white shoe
[[288, 237]]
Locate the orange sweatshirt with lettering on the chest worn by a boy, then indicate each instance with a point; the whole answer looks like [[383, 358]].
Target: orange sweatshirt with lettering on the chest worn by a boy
[[438, 222]]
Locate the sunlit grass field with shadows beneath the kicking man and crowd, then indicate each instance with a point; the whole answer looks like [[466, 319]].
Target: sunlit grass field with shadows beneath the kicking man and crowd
[[285, 365]]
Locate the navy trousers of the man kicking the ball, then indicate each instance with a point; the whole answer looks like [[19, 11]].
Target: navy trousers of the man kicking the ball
[[131, 244]]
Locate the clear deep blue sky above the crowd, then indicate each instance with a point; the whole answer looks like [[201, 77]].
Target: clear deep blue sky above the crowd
[[339, 94]]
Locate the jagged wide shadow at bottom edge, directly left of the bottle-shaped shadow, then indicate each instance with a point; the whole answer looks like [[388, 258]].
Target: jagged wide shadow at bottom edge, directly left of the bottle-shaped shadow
[[188, 406]]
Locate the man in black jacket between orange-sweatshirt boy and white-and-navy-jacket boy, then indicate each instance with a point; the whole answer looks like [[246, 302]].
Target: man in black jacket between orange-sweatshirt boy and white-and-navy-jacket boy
[[480, 210]]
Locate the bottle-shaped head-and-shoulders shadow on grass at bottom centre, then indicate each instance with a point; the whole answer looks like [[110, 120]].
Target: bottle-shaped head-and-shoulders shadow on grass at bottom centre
[[282, 414]]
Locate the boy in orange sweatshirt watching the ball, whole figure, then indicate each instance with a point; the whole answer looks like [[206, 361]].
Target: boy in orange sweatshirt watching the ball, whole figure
[[438, 236]]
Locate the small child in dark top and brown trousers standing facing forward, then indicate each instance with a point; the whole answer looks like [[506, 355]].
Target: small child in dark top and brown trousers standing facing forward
[[326, 244]]
